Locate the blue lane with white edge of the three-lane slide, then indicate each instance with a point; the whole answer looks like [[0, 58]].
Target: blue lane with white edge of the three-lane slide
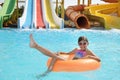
[[26, 21]]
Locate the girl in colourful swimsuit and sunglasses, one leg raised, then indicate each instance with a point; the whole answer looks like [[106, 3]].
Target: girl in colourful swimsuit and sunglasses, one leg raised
[[81, 52]]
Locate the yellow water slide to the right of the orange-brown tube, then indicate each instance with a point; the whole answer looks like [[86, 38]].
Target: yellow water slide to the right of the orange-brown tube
[[109, 12]]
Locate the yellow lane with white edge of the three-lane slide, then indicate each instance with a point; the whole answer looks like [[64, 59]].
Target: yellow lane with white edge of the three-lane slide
[[52, 19]]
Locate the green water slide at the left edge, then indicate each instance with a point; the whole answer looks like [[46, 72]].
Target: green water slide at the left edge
[[7, 10]]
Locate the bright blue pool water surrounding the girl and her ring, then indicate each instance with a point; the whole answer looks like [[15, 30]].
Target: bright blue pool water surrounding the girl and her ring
[[20, 62]]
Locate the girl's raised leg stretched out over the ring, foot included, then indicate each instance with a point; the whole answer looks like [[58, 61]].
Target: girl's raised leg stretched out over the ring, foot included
[[46, 52]]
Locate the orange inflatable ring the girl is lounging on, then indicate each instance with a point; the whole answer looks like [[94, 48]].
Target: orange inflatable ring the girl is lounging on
[[77, 65]]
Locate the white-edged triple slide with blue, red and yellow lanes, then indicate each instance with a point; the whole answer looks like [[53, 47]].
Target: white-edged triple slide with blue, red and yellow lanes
[[33, 15]]
